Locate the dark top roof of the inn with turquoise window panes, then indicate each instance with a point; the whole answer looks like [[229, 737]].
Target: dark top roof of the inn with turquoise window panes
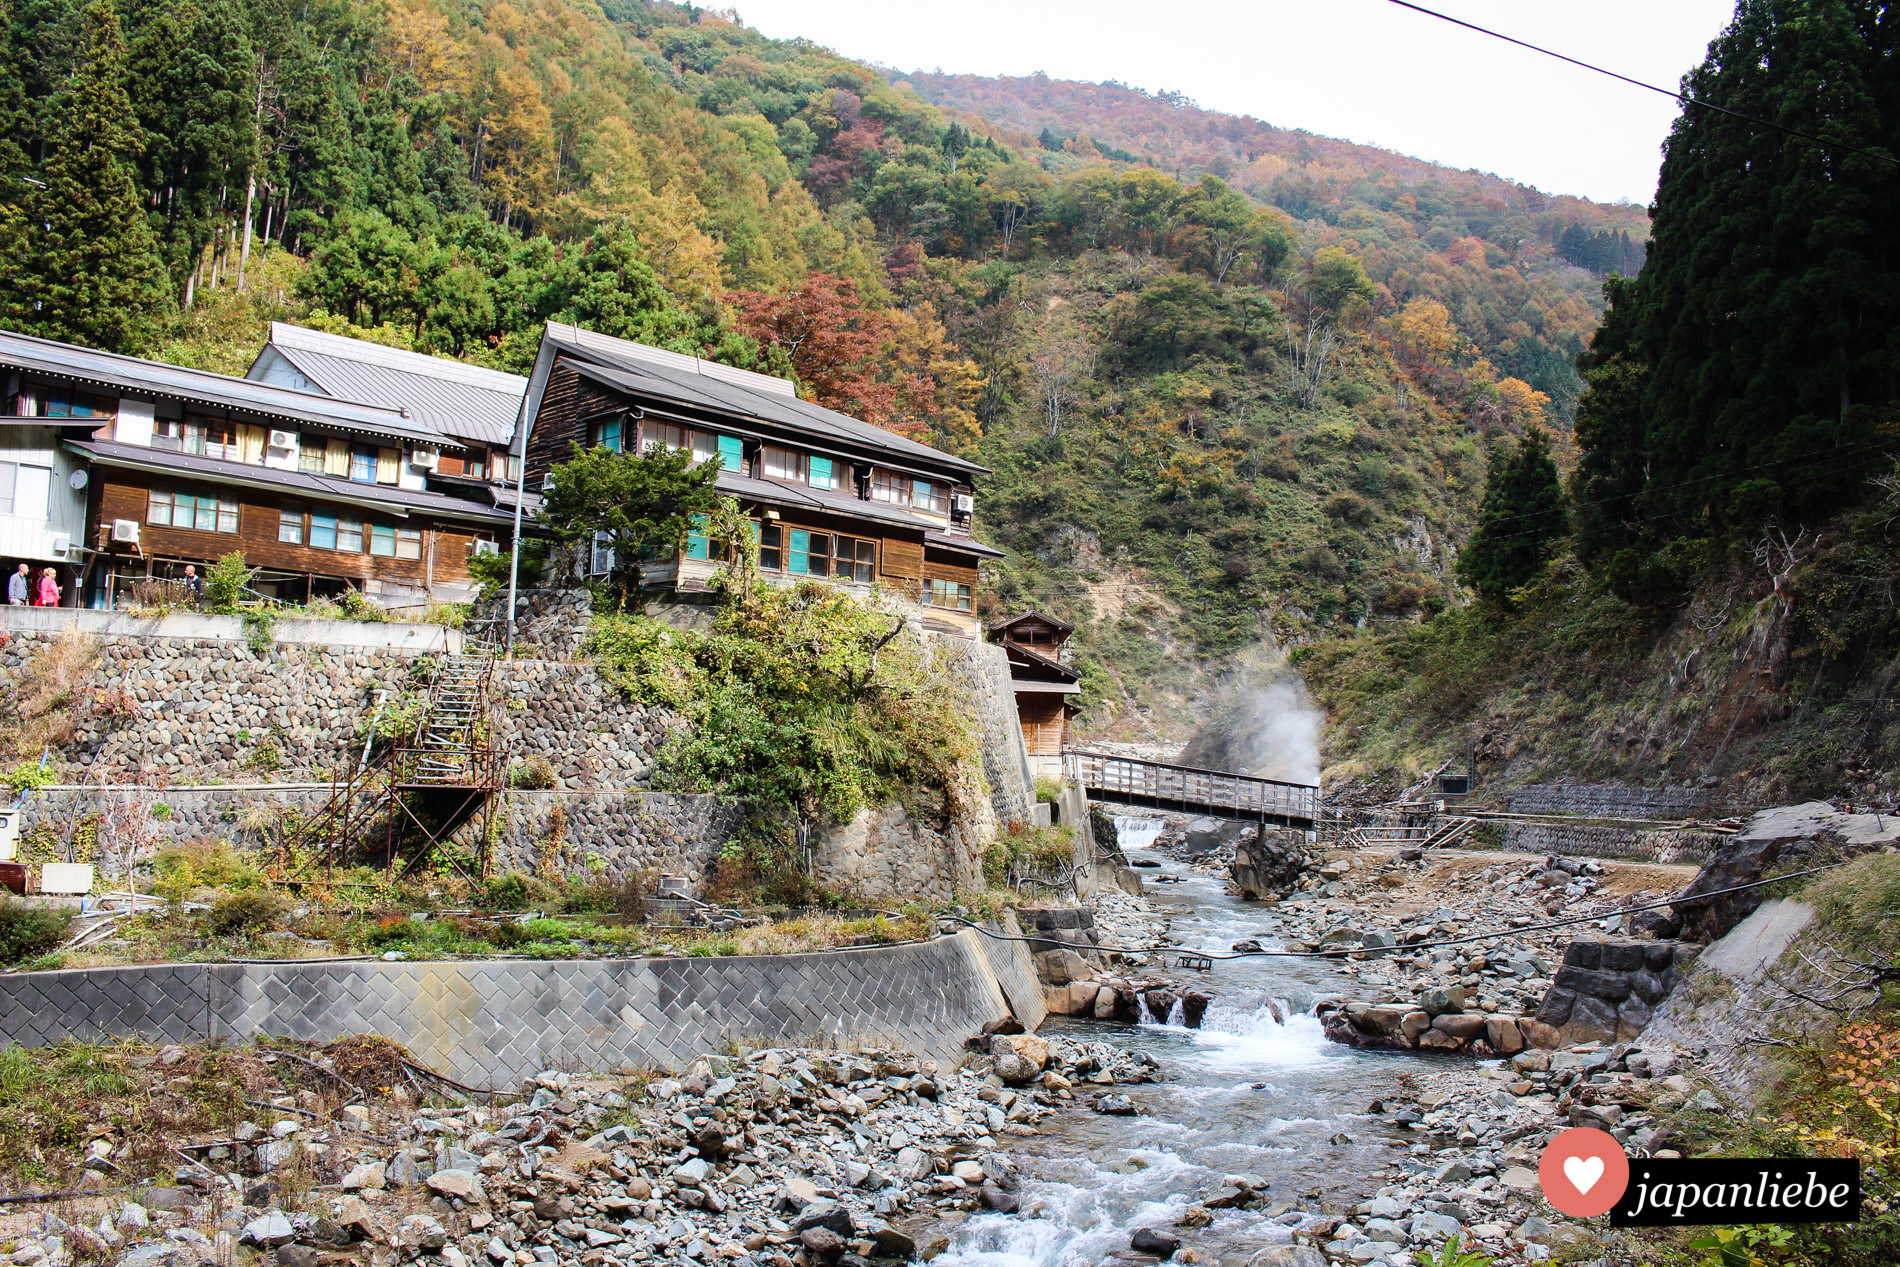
[[687, 381]]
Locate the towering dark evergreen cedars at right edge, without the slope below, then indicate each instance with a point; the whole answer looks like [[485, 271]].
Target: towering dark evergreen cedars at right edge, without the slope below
[[1745, 371]]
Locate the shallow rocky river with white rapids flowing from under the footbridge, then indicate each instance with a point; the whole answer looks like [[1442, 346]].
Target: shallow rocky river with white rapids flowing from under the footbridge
[[1245, 1095]]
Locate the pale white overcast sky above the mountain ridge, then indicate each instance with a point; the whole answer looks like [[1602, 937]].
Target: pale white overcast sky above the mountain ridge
[[1358, 69]]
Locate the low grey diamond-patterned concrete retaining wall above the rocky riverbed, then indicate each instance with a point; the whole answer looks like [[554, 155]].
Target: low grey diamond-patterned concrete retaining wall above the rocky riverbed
[[493, 1023]]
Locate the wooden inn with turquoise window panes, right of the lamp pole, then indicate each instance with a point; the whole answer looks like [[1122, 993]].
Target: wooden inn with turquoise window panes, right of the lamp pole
[[835, 497]]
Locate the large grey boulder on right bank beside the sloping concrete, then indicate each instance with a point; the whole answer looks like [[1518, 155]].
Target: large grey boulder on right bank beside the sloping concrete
[[1776, 841]]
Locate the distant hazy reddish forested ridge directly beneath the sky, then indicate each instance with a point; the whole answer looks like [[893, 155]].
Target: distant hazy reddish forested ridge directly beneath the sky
[[1519, 269]]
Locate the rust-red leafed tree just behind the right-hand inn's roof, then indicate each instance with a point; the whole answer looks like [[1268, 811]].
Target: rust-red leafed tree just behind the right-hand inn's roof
[[831, 337]]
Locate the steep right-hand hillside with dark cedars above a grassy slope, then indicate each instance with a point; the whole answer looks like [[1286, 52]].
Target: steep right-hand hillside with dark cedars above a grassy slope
[[1717, 597]]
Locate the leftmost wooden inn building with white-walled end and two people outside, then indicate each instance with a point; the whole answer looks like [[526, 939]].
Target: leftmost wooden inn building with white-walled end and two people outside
[[178, 466]]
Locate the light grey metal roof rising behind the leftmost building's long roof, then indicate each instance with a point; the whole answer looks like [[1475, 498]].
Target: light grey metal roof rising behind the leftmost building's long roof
[[466, 402]]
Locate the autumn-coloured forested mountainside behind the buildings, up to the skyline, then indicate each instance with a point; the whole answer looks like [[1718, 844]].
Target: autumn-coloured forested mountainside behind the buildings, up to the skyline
[[1215, 413]]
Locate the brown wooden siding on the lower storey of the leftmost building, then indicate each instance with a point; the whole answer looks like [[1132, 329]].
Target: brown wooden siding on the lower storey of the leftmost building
[[124, 495]]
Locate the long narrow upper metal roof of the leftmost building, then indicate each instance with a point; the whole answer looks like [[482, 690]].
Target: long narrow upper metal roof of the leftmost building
[[155, 379]]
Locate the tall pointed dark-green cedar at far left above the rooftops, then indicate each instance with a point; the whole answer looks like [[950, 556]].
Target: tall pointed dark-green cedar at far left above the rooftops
[[83, 259]]
